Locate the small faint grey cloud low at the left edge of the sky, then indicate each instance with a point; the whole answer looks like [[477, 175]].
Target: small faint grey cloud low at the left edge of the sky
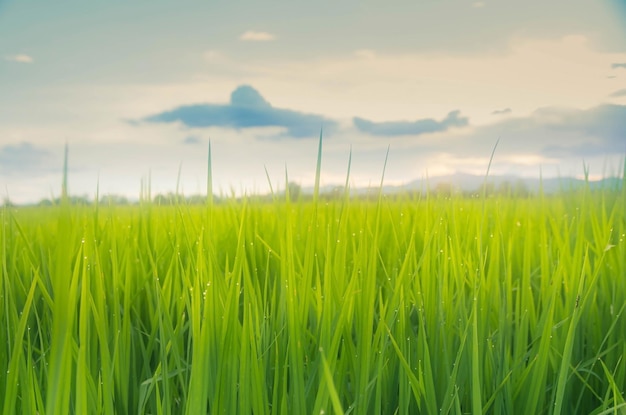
[[22, 158]]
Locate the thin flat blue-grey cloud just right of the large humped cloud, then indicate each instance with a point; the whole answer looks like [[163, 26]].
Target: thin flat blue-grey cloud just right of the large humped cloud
[[424, 126]]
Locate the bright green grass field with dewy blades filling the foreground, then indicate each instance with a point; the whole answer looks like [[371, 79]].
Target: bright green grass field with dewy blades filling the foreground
[[403, 305]]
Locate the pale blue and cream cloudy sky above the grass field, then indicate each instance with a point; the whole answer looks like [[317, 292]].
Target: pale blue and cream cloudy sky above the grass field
[[138, 90]]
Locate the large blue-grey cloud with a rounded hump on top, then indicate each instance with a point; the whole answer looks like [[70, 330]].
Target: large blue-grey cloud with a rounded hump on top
[[247, 109]]
